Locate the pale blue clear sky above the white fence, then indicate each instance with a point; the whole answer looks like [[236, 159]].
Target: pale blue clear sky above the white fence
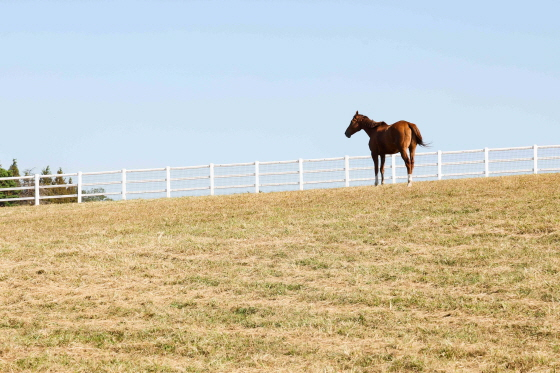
[[105, 85]]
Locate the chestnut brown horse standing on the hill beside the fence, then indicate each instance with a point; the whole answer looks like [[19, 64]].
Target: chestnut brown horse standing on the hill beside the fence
[[385, 139]]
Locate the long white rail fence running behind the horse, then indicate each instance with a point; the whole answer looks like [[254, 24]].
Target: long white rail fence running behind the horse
[[258, 177]]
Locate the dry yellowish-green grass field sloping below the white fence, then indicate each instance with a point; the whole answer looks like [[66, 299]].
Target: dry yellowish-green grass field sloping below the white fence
[[449, 276]]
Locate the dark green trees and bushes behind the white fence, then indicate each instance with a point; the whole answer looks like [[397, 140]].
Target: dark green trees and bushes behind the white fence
[[51, 190]]
